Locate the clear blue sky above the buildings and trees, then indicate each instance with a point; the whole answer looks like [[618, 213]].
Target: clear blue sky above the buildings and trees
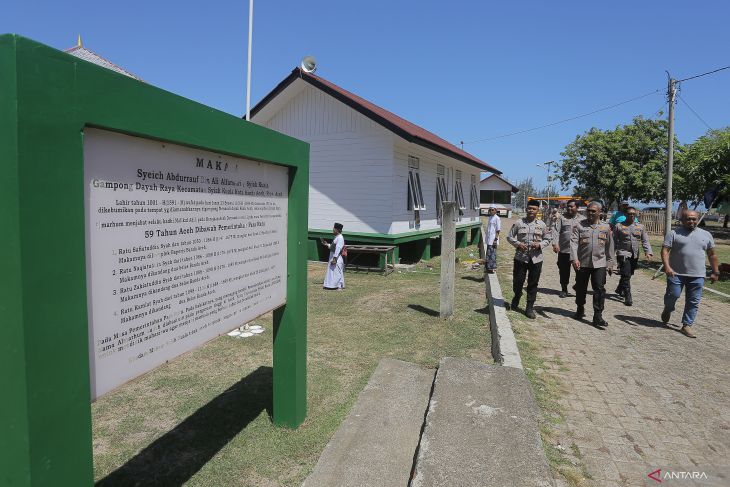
[[466, 70]]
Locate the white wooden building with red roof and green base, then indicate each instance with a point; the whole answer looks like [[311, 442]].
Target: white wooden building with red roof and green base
[[379, 175]]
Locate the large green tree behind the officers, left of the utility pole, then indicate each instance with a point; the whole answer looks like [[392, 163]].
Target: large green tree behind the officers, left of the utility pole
[[612, 165]]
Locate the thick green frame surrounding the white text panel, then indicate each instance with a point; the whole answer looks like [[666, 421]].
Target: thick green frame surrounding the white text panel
[[47, 97]]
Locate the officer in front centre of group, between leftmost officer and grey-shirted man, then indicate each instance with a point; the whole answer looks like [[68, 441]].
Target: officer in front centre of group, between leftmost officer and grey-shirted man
[[591, 250]]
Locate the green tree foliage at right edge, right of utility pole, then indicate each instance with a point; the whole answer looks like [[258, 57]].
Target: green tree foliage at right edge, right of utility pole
[[702, 165]]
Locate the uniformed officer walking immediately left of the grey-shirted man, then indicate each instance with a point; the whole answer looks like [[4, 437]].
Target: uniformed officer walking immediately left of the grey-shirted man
[[626, 236]]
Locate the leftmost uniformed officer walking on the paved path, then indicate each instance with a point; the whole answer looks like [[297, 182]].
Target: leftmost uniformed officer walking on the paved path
[[529, 236]]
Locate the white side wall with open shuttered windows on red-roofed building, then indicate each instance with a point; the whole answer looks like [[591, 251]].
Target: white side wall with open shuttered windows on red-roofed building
[[403, 219]]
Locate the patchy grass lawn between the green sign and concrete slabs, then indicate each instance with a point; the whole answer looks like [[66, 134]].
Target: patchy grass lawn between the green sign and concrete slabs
[[204, 418]]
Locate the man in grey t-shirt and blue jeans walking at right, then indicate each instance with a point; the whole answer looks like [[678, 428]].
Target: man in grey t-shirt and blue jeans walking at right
[[683, 256]]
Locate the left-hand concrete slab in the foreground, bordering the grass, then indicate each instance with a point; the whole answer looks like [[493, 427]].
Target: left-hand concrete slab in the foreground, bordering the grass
[[375, 445]]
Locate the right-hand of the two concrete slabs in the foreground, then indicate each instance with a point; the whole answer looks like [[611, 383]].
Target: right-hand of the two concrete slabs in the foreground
[[481, 430]]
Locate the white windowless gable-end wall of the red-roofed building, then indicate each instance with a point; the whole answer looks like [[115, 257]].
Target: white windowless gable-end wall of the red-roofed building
[[351, 162]]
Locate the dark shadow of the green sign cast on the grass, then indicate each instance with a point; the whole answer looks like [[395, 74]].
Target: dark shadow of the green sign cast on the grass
[[175, 457]]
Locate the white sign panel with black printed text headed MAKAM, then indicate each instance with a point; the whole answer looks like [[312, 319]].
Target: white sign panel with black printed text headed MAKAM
[[182, 245]]
